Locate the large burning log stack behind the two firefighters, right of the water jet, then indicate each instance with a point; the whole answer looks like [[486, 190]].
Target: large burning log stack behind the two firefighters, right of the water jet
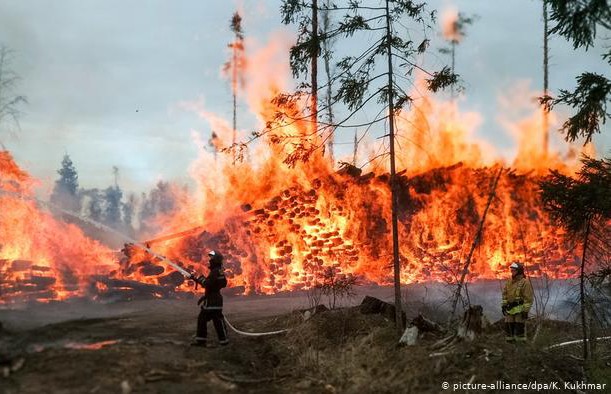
[[339, 222]]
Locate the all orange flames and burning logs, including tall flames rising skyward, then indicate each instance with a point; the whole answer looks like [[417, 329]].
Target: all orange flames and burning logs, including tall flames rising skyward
[[283, 218]]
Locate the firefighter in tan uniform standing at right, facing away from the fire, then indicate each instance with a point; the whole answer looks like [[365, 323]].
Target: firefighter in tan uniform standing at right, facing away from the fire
[[517, 300]]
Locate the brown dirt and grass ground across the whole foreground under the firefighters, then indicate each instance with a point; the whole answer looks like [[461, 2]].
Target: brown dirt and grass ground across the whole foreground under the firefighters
[[142, 347]]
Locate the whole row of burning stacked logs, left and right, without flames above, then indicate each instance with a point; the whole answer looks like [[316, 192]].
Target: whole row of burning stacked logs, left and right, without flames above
[[336, 223]]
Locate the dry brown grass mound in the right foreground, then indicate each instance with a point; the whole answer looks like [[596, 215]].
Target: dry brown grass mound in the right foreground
[[346, 351]]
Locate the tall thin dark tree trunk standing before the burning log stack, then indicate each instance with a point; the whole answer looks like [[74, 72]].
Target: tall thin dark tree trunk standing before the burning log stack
[[393, 181]]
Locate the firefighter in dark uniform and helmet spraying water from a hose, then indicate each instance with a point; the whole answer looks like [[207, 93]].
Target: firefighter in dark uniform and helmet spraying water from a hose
[[211, 302]]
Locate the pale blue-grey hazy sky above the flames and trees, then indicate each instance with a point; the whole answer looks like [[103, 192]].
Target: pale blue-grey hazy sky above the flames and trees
[[105, 79]]
